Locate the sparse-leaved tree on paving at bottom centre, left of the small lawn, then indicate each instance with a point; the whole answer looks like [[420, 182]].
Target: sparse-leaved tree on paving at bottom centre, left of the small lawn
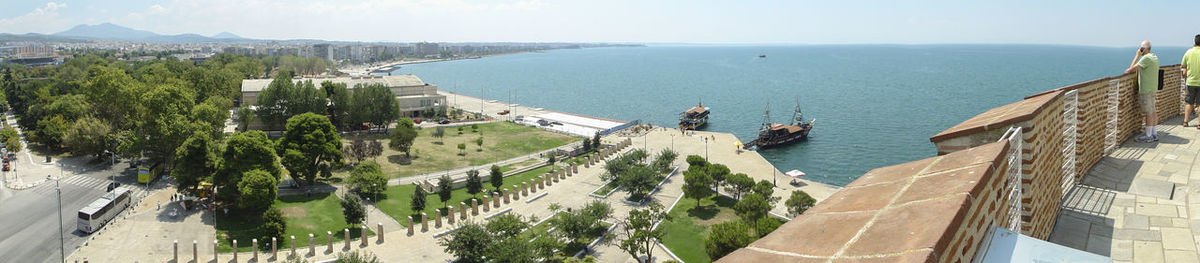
[[639, 236]]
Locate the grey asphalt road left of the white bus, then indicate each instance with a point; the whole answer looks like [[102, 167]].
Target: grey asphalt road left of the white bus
[[29, 222]]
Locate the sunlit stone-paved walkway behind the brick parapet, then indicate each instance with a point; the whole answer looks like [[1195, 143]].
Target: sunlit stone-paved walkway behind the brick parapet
[[1142, 204]]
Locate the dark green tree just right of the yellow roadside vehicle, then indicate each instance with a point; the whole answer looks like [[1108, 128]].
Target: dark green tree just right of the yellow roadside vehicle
[[195, 162]]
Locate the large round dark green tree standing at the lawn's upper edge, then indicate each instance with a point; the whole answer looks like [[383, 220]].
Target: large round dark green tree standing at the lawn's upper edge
[[310, 142]]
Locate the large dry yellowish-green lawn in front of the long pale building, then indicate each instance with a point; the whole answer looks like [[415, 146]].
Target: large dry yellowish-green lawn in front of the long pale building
[[502, 141]]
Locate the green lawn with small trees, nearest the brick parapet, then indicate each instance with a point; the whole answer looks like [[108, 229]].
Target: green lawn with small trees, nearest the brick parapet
[[688, 226]]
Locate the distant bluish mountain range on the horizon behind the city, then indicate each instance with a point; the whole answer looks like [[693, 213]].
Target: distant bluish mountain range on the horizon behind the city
[[117, 33]]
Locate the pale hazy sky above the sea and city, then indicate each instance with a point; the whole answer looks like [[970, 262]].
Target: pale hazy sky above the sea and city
[[1091, 23]]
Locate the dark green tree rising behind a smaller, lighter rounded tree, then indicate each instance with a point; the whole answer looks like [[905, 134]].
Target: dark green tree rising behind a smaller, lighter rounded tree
[[244, 152]]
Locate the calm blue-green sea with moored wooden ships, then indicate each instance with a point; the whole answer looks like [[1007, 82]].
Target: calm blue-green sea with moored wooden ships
[[874, 105]]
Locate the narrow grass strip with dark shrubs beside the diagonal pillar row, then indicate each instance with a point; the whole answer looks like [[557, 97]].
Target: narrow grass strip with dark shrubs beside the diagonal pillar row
[[397, 202]]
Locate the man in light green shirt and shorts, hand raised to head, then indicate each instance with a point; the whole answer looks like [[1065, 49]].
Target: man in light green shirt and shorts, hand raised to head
[[1147, 65]]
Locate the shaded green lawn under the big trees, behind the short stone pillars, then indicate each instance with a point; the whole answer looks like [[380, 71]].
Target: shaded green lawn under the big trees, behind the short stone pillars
[[305, 216]]
